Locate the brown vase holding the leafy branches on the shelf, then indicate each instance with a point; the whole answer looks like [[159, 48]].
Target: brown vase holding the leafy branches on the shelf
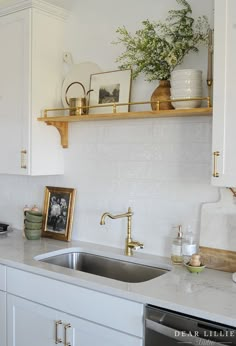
[[162, 92]]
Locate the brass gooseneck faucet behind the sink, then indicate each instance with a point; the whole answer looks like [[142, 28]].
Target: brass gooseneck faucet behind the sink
[[130, 244]]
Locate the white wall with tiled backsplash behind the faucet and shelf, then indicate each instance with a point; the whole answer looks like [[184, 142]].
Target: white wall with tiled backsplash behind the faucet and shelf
[[159, 167]]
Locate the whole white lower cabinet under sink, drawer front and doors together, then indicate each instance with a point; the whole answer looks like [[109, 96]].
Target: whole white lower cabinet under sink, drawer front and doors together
[[36, 304]]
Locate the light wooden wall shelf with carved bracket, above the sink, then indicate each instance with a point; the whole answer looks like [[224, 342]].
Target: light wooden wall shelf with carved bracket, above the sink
[[61, 122]]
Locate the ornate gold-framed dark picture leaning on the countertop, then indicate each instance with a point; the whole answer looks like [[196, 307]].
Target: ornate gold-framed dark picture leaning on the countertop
[[58, 212]]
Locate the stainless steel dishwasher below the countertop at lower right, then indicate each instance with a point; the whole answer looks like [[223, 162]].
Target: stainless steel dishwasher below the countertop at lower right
[[168, 328]]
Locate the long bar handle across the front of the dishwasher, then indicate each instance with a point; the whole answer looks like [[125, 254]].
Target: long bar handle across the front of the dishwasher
[[178, 334]]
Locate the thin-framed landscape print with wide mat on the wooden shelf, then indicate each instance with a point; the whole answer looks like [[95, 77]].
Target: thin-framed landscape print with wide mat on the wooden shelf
[[109, 88]]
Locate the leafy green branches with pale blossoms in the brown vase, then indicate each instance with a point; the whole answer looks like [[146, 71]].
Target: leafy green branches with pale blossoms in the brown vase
[[157, 48]]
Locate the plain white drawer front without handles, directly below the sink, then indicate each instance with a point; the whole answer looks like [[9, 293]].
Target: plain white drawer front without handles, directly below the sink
[[114, 312]]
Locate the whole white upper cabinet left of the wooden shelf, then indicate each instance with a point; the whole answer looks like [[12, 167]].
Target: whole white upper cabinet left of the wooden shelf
[[31, 62]]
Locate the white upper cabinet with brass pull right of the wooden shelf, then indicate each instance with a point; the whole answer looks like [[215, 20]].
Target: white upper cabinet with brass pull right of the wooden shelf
[[224, 102]]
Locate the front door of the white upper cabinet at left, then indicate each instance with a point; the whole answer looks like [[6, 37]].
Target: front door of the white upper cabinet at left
[[14, 74]]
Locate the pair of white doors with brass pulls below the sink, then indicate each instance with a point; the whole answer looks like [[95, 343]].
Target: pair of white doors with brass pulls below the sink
[[30, 323]]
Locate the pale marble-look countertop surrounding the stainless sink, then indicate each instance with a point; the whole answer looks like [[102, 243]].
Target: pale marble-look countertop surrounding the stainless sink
[[210, 294]]
